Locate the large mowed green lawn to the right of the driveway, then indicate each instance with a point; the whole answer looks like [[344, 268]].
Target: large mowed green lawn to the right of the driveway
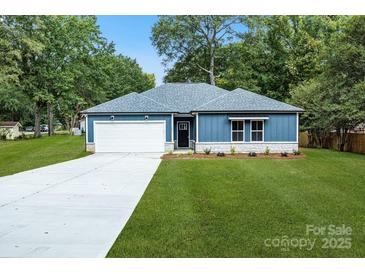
[[228, 208]]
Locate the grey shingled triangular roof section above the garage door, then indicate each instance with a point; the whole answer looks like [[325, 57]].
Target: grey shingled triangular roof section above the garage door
[[132, 102]]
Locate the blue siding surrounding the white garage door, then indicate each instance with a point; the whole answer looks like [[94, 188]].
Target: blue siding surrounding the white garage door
[[153, 117]]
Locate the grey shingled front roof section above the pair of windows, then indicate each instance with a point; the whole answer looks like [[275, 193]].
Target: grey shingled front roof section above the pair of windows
[[243, 100]]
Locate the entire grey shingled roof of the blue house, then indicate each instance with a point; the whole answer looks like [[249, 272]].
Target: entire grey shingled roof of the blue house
[[185, 98]]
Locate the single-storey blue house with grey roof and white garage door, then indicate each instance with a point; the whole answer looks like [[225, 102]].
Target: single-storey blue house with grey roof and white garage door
[[192, 116]]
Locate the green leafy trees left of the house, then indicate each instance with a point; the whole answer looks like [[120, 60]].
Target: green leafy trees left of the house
[[62, 61]]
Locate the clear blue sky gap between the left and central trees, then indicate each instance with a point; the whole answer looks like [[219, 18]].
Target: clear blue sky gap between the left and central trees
[[131, 35]]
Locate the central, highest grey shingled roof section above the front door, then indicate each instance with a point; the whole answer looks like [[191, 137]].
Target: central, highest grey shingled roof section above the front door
[[184, 98]]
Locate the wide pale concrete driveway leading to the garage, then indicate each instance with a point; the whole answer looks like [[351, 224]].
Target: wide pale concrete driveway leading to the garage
[[72, 209]]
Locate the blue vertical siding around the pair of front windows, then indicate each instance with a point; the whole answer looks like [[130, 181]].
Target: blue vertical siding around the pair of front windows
[[278, 128]]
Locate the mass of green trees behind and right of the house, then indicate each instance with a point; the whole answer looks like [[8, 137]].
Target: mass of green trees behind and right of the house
[[314, 62]]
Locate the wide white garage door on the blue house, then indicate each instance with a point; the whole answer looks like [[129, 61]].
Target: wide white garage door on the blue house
[[129, 136]]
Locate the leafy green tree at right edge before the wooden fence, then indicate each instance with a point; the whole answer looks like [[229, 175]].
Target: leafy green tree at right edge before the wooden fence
[[335, 99]]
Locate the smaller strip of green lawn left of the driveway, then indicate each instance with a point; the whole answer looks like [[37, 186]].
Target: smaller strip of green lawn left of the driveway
[[16, 156]]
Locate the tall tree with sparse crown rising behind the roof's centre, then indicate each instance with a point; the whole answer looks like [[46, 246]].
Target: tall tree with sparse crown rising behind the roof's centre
[[180, 37]]
